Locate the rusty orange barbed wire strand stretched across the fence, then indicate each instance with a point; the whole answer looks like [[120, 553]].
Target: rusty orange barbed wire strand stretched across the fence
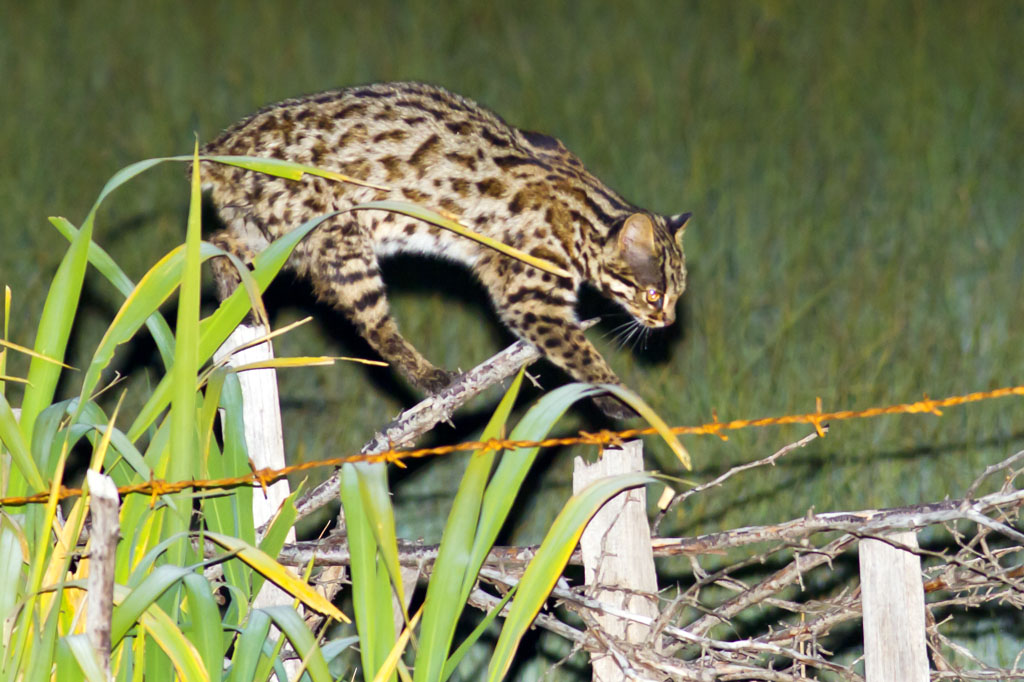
[[157, 488]]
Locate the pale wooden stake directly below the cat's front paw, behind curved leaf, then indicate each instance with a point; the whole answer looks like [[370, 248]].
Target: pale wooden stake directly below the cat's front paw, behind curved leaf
[[619, 564]]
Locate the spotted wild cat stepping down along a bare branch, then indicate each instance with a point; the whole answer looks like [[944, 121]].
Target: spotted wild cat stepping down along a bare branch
[[445, 152]]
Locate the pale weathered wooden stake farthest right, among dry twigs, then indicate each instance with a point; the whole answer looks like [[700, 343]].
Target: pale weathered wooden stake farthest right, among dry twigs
[[893, 603]]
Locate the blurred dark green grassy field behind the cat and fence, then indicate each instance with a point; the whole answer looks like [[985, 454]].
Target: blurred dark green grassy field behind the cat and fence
[[855, 169]]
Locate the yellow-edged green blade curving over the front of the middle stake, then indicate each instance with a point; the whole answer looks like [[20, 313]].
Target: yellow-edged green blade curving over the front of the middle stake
[[547, 567]]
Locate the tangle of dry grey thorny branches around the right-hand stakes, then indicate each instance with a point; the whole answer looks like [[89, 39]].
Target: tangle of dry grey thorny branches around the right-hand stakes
[[742, 622]]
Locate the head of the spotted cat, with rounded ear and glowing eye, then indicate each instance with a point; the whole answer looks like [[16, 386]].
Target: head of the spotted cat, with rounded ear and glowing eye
[[646, 268]]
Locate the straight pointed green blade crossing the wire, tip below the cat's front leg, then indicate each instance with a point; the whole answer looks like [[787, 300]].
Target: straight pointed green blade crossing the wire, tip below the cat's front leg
[[442, 609]]
